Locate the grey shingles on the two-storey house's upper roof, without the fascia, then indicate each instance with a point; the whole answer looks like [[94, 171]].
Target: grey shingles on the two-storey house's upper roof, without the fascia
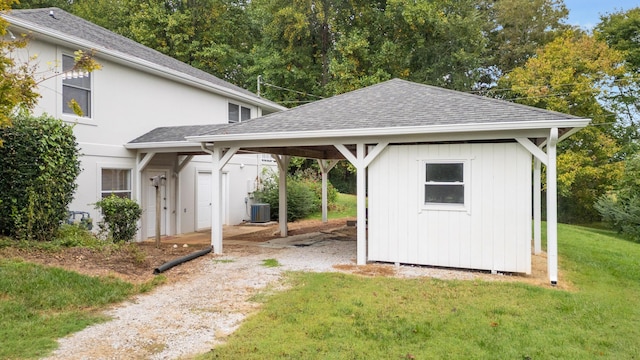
[[71, 26]]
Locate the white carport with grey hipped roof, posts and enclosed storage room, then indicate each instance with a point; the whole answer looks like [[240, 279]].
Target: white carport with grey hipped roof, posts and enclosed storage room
[[362, 125]]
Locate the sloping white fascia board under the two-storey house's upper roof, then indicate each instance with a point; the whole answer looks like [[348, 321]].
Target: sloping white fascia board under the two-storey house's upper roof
[[140, 64]]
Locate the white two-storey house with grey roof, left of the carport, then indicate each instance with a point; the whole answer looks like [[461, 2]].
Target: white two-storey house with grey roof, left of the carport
[[138, 93]]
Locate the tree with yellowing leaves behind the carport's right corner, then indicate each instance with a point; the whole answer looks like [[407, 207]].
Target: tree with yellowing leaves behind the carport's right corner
[[570, 75]]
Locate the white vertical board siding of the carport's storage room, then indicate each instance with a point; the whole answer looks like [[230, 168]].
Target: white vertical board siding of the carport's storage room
[[493, 234]]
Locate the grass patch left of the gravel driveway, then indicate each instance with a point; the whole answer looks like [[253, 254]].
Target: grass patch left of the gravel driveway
[[40, 304]]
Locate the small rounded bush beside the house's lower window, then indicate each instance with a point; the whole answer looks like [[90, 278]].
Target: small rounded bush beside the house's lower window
[[119, 217]]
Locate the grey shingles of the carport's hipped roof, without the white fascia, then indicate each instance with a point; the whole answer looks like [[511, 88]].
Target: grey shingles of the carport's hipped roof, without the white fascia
[[394, 103]]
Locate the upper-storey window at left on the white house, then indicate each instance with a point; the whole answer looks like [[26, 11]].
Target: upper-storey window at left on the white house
[[76, 85]]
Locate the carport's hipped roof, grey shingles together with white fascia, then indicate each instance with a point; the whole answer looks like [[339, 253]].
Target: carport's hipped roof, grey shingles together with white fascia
[[395, 107]]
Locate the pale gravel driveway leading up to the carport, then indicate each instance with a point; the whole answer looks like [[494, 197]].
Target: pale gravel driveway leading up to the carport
[[189, 317]]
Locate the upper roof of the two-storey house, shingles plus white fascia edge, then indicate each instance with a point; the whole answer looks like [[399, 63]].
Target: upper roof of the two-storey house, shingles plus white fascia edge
[[66, 28]]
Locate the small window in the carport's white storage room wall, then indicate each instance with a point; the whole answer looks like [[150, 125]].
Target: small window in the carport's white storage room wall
[[444, 183]]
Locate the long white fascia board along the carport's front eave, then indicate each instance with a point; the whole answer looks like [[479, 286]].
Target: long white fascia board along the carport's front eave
[[395, 131]]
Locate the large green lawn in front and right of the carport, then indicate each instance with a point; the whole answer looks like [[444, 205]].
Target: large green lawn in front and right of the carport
[[338, 316]]
